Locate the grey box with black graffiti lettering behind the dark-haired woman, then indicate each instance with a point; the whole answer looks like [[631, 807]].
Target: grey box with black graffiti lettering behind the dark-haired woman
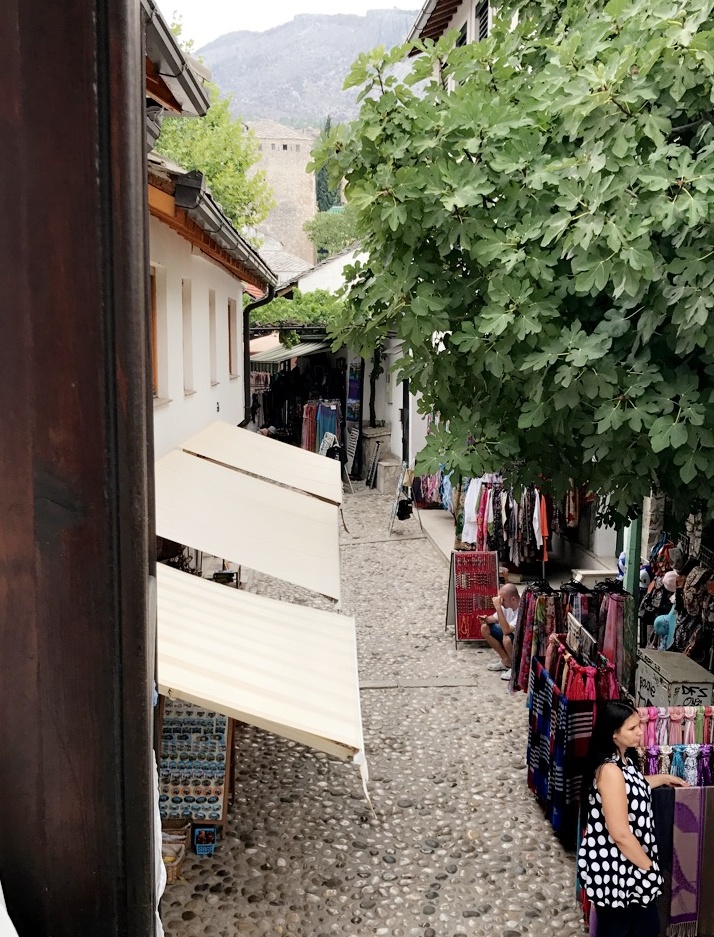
[[666, 678]]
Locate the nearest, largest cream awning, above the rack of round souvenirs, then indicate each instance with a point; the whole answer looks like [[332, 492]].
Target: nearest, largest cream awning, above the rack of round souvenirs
[[285, 668]]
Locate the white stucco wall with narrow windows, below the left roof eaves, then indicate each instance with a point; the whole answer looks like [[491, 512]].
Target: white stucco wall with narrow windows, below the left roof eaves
[[179, 413]]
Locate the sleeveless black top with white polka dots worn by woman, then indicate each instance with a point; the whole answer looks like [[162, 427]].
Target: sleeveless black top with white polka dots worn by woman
[[608, 876]]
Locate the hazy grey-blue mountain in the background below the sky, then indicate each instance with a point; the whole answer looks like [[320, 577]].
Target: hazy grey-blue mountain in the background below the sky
[[294, 72]]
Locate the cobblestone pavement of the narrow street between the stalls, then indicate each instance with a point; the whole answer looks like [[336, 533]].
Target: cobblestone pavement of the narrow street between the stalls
[[458, 847]]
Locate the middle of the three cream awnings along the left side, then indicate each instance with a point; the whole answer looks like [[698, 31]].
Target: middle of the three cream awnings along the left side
[[279, 532]]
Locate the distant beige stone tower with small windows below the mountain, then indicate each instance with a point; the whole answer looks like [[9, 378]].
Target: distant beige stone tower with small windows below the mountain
[[284, 155]]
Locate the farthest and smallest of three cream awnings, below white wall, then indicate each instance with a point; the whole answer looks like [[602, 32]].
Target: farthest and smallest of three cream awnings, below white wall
[[269, 459]]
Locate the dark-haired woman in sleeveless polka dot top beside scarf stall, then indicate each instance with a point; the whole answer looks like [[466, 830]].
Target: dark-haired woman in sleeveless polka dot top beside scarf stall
[[617, 860]]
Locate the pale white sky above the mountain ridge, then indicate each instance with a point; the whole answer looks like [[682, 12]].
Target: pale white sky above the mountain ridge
[[205, 20]]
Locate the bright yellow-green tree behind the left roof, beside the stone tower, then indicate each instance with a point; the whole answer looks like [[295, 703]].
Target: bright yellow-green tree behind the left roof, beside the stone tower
[[226, 152]]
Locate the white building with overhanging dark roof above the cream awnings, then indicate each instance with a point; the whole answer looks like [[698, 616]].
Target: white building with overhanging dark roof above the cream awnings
[[199, 265]]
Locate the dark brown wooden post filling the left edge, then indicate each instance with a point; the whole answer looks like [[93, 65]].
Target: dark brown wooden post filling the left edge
[[75, 692]]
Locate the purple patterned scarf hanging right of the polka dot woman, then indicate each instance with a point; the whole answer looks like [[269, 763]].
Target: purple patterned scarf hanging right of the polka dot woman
[[686, 861]]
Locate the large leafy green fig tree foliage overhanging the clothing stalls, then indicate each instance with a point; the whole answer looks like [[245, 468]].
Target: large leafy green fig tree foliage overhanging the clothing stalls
[[539, 223]]
